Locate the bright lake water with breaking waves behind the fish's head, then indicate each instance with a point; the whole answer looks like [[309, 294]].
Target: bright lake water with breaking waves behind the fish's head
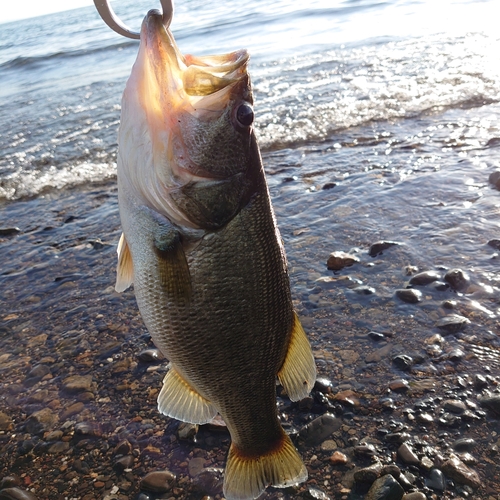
[[317, 69]]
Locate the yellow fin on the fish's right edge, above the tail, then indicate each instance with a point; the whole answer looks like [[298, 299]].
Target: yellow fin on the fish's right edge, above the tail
[[298, 373]]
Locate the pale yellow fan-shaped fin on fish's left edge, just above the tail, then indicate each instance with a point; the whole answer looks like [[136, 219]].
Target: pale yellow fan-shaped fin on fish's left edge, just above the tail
[[179, 400]]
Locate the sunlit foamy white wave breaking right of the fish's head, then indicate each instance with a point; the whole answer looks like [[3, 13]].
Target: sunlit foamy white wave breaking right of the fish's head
[[311, 97]]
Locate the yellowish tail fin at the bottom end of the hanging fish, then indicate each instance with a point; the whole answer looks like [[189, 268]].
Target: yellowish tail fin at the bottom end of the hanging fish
[[247, 477]]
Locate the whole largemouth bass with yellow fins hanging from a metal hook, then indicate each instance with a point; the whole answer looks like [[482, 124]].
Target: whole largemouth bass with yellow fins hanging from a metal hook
[[201, 246]]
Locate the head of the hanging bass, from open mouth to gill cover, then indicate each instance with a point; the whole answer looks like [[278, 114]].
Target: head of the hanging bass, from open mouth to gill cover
[[187, 146]]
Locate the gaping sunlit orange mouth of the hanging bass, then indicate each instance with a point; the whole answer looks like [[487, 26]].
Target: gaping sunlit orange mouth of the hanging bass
[[197, 84]]
